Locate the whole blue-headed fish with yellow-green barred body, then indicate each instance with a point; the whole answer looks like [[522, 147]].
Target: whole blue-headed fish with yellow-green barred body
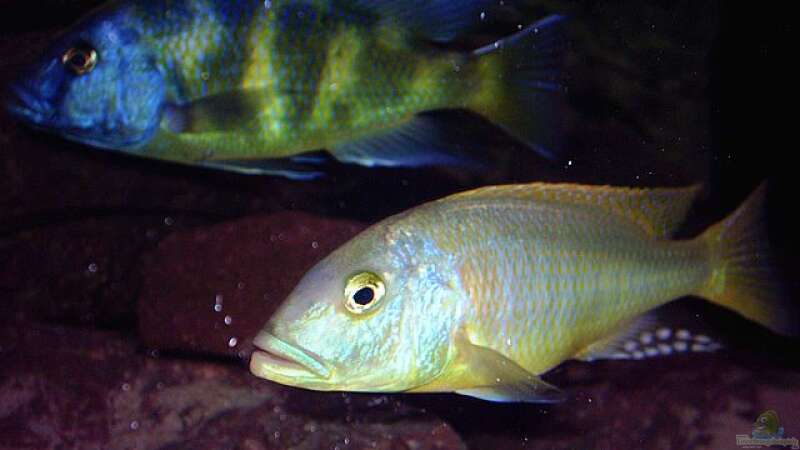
[[247, 85]]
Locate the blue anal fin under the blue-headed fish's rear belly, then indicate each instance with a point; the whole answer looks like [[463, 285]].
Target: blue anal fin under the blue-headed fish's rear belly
[[420, 142]]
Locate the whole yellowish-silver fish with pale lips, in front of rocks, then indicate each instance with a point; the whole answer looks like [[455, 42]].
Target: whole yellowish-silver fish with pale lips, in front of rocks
[[481, 292]]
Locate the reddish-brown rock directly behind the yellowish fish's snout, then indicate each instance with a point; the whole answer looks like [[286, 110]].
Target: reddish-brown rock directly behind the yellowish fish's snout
[[211, 289]]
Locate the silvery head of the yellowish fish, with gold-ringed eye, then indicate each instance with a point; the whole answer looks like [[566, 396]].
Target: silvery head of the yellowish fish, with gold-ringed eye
[[370, 317]]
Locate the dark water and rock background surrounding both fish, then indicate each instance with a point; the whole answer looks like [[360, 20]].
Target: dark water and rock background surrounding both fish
[[130, 288]]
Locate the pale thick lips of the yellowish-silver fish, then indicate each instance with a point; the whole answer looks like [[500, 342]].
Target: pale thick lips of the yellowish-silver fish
[[277, 359]]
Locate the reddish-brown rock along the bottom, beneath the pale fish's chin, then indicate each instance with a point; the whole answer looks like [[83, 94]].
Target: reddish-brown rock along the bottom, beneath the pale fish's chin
[[64, 388]]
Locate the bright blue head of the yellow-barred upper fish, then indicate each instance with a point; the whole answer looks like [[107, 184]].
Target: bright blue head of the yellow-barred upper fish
[[97, 84]]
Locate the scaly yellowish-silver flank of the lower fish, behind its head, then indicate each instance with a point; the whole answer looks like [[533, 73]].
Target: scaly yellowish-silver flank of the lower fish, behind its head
[[554, 278]]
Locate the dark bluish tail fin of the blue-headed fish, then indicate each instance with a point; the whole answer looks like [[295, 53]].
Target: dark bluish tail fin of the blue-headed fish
[[527, 97]]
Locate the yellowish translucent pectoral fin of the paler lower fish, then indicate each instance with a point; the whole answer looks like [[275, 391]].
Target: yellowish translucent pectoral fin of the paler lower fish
[[492, 376]]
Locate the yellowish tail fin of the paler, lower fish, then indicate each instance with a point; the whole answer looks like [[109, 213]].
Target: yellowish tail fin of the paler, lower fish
[[743, 278]]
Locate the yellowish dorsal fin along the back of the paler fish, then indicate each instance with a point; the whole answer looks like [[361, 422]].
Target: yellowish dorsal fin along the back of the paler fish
[[658, 211]]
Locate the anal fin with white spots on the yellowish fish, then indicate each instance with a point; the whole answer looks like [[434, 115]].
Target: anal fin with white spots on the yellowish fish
[[648, 337]]
